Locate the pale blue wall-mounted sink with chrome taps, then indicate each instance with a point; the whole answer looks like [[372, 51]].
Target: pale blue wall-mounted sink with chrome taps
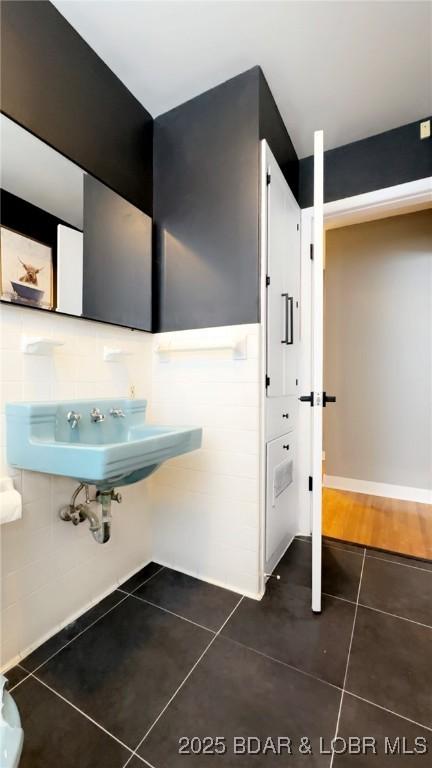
[[113, 452]]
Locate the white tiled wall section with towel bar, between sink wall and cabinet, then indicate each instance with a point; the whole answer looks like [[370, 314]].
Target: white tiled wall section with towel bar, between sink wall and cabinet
[[206, 504]]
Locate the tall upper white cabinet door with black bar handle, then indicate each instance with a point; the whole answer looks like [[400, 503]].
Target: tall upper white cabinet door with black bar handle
[[283, 277]]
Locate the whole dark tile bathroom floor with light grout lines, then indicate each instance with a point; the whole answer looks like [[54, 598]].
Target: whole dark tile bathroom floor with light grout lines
[[166, 658]]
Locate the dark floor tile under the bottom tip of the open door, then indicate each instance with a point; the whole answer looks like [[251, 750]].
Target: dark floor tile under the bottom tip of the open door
[[283, 626]]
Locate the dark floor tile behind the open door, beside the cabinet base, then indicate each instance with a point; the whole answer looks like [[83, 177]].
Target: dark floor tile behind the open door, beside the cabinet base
[[340, 569]]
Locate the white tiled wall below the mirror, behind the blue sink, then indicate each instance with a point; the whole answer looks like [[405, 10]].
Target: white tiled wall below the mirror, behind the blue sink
[[50, 570]]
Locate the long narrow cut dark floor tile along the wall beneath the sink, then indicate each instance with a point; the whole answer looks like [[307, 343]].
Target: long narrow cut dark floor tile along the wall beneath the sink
[[45, 651]]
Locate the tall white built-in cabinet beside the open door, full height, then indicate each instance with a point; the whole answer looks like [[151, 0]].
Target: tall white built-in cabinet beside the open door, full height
[[280, 223]]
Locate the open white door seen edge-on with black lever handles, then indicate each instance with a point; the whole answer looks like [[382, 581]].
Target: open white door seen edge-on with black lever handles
[[317, 365]]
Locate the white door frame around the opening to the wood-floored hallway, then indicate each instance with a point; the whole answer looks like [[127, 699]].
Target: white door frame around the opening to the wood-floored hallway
[[380, 203]]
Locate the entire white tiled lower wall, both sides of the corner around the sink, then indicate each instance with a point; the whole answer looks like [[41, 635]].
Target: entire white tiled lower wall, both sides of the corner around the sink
[[199, 513]]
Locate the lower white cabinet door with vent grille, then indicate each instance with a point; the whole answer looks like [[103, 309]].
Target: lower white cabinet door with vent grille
[[281, 497]]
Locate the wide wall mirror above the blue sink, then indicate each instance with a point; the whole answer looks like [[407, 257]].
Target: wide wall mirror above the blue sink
[[68, 243]]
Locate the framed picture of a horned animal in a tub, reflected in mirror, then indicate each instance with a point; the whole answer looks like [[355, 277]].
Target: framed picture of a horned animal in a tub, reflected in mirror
[[26, 270]]
